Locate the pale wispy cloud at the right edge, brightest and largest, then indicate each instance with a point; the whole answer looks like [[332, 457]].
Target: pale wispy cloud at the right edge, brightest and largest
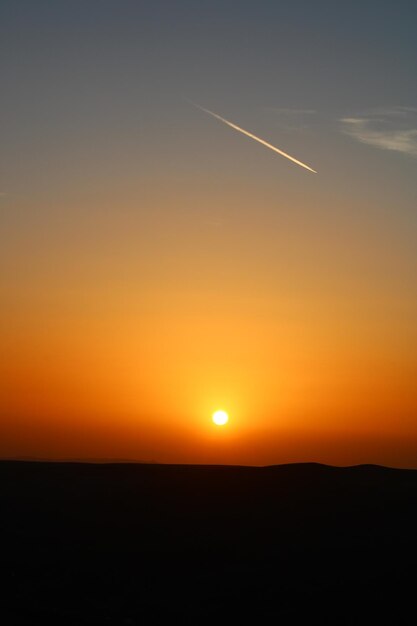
[[385, 128]]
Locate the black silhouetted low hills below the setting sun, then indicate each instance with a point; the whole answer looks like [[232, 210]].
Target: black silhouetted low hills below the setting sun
[[157, 544]]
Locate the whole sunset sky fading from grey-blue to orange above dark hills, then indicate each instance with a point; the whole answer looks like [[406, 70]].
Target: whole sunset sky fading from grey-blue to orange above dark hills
[[156, 265]]
